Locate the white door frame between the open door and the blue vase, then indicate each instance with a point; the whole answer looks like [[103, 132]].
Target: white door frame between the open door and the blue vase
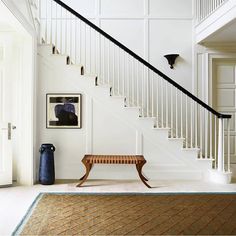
[[26, 163]]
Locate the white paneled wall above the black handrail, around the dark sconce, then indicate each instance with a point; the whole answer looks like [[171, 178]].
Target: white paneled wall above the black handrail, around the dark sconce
[[151, 28]]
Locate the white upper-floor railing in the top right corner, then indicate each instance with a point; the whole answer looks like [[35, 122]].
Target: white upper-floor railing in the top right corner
[[204, 8]]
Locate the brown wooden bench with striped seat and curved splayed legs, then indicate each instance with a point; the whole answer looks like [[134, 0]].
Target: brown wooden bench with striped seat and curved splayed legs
[[89, 160]]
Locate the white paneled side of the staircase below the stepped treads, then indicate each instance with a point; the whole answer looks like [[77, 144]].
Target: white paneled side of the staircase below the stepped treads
[[108, 127]]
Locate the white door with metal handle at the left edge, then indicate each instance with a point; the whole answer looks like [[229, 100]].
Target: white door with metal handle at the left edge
[[5, 134]]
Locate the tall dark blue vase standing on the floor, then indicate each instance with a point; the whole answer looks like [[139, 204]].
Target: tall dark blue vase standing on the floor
[[46, 166]]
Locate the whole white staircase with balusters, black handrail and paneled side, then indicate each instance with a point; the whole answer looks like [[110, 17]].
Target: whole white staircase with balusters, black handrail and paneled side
[[134, 109]]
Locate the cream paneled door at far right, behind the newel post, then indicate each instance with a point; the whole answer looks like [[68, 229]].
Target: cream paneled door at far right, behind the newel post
[[224, 96]]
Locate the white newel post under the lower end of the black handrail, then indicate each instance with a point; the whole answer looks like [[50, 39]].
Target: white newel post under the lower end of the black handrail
[[221, 145]]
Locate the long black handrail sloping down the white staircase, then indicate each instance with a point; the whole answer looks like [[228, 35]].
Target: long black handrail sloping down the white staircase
[[219, 115]]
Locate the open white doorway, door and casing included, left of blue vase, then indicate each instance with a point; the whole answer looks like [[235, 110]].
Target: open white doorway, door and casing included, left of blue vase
[[16, 100]]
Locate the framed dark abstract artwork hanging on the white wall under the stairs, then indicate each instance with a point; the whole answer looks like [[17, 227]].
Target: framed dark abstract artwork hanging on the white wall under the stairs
[[64, 111]]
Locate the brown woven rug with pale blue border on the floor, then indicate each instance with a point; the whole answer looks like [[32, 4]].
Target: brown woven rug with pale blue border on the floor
[[131, 214]]
